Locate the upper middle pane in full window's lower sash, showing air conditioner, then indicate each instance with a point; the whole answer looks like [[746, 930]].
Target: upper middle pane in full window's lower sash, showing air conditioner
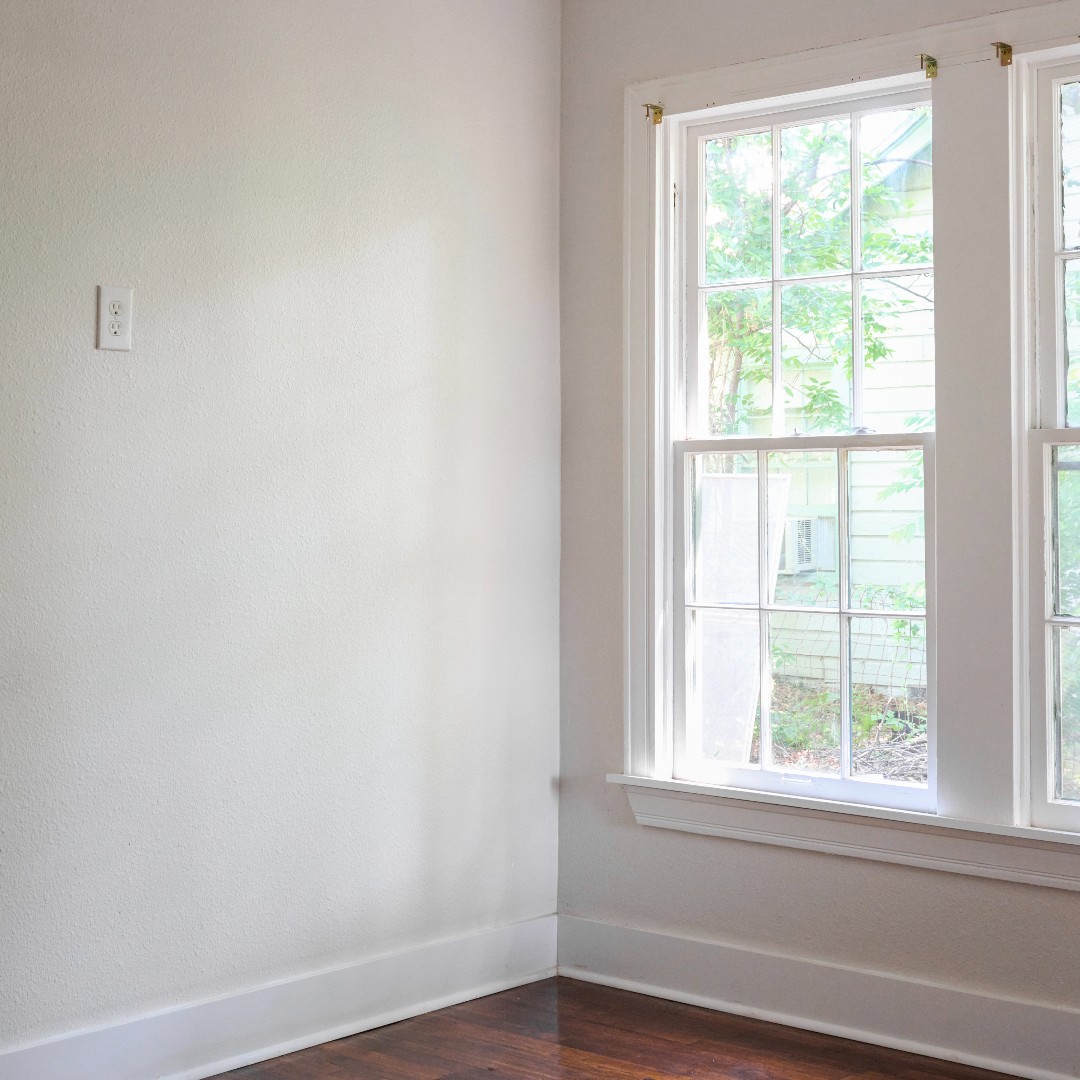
[[804, 556]]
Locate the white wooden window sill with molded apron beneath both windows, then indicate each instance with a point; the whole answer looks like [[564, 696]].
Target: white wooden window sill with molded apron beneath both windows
[[1011, 854]]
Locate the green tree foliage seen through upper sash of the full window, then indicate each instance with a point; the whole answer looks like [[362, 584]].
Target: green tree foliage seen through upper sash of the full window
[[814, 224]]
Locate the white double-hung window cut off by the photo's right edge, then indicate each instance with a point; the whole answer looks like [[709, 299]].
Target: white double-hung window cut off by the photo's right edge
[[1056, 447]]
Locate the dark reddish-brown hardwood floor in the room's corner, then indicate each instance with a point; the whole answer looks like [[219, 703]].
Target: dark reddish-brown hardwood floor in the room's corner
[[564, 1030]]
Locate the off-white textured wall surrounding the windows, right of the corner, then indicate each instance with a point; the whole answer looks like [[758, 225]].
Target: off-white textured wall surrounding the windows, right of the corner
[[1000, 938]]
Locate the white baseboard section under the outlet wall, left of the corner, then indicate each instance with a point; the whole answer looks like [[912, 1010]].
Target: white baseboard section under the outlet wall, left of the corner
[[193, 1043]]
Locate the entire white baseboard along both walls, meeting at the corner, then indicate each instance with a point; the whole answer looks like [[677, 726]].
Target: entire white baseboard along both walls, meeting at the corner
[[194, 1043]]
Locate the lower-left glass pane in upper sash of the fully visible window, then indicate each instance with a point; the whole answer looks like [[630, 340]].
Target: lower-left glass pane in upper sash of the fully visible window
[[740, 361]]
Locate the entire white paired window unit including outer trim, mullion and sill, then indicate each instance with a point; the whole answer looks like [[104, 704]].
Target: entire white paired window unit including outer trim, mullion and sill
[[854, 451]]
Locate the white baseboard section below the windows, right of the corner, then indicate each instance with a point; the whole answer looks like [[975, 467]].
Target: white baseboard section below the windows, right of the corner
[[1021, 1038]]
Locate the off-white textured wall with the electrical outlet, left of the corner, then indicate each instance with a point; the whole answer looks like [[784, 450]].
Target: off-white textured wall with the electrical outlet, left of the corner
[[278, 589]]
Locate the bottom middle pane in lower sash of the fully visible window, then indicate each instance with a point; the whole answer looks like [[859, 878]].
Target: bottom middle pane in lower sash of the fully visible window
[[805, 709]]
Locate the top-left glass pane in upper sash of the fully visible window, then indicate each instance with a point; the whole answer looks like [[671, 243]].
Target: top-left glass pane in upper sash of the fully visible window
[[738, 208]]
